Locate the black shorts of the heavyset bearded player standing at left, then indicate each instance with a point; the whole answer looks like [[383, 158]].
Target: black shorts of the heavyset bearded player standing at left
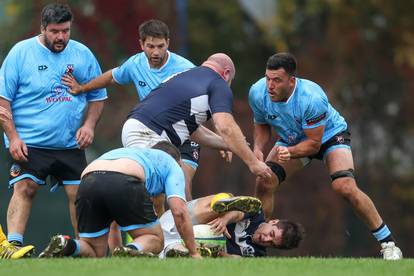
[[65, 166]]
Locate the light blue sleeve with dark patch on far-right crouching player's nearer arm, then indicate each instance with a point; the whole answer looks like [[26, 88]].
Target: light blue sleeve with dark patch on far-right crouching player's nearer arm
[[315, 112]]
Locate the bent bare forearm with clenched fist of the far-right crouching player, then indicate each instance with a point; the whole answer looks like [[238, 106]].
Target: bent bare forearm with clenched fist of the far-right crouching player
[[309, 146]]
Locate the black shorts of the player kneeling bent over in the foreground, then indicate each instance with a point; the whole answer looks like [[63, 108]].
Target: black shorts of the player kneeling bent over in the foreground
[[105, 196]]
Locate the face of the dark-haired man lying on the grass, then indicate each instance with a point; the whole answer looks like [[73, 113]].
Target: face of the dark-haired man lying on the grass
[[268, 234]]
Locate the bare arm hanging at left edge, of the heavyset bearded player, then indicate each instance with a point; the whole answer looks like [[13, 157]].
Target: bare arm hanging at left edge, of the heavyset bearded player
[[17, 147]]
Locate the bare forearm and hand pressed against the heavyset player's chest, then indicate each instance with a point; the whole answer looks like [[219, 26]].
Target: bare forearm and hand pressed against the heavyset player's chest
[[99, 82]]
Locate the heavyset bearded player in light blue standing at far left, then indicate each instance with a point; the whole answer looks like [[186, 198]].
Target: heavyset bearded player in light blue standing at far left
[[50, 128]]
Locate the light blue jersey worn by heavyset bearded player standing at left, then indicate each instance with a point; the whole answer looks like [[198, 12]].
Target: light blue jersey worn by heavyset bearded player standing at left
[[44, 113]]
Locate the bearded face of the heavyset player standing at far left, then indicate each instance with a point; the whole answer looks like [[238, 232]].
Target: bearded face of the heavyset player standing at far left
[[56, 36]]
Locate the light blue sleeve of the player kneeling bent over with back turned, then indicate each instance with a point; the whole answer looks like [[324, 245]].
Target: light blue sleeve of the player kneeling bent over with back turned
[[175, 182]]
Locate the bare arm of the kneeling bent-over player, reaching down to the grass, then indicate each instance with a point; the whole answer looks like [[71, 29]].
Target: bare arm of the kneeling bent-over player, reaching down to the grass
[[183, 223]]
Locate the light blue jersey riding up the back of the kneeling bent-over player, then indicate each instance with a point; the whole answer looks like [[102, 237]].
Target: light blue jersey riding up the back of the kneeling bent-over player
[[162, 172]]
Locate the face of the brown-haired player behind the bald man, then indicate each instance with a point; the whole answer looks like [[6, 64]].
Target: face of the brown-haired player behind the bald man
[[156, 50]]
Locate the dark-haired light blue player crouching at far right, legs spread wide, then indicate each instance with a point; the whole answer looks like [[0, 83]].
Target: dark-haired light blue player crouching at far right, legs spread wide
[[308, 128]]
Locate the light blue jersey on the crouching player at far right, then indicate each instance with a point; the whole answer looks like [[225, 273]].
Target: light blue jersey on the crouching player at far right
[[306, 108]]
